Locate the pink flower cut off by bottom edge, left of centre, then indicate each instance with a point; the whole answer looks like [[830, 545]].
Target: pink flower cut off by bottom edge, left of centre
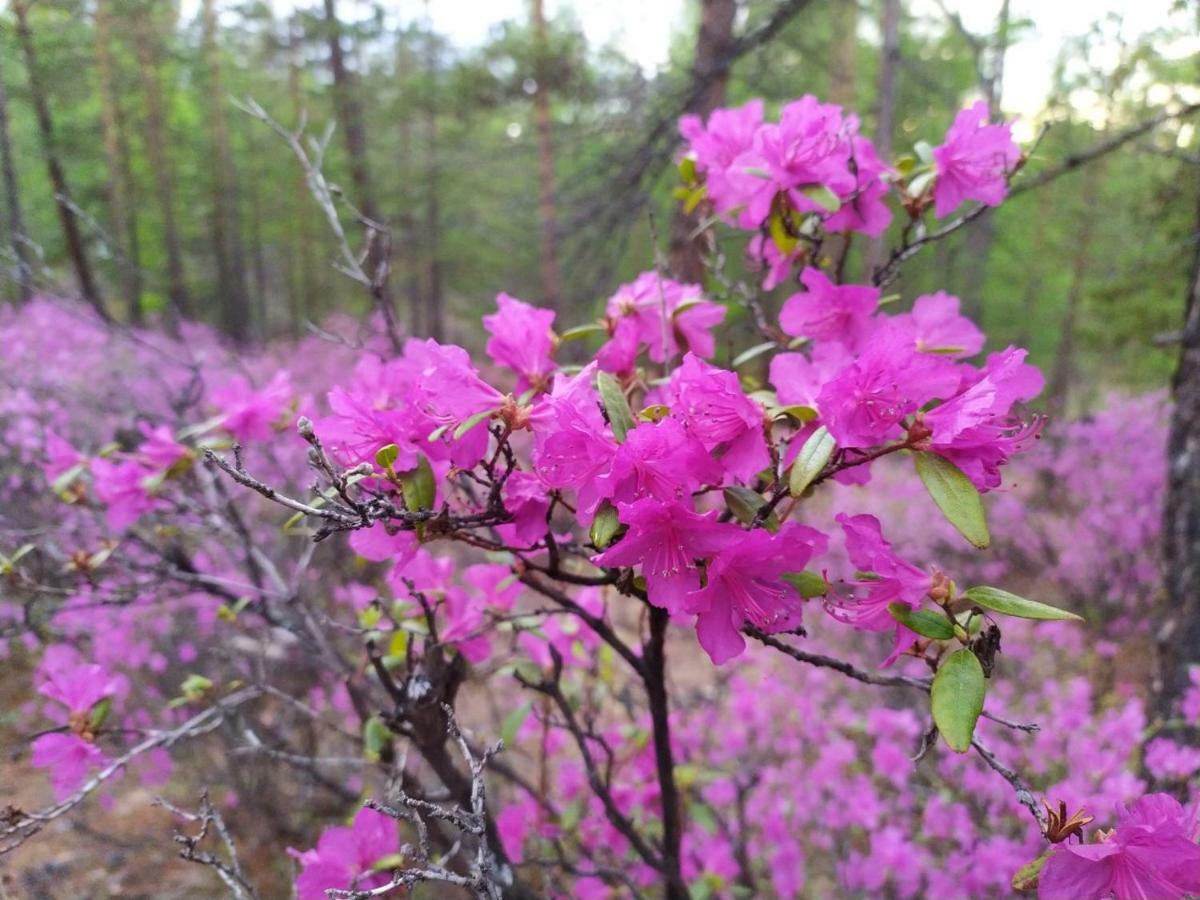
[[345, 857]]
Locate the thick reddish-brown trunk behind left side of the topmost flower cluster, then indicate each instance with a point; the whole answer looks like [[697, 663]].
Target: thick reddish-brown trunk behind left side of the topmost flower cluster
[[711, 75]]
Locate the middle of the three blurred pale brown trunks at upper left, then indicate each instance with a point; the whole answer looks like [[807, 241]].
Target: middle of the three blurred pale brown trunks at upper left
[[145, 38]]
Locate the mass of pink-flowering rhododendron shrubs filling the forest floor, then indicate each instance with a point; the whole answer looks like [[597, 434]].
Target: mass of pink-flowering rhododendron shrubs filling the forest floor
[[349, 556]]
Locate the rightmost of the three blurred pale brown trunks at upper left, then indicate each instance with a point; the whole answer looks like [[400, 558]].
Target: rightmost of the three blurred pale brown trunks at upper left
[[225, 224]]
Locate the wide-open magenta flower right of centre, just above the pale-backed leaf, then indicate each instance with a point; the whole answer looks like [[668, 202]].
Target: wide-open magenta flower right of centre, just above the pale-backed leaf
[[865, 404]]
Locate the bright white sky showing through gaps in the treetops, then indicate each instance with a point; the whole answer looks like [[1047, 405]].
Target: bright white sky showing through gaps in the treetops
[[644, 29]]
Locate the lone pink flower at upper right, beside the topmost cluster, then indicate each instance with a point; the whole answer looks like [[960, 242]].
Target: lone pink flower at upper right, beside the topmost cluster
[[975, 161]]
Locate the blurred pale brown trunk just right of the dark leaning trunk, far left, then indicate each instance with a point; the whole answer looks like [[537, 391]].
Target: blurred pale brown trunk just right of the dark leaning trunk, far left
[[121, 179]]
